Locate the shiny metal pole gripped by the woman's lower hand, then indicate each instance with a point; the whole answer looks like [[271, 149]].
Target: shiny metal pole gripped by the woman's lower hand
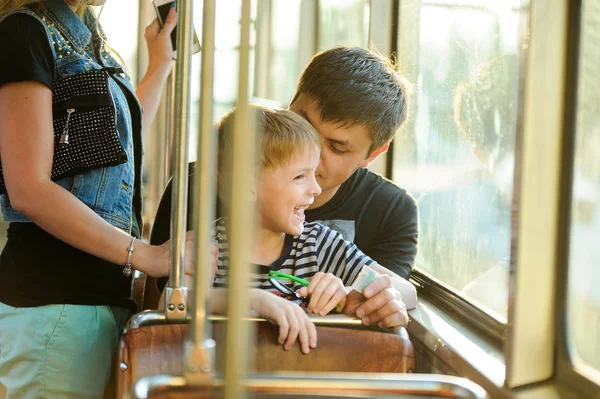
[[175, 297]]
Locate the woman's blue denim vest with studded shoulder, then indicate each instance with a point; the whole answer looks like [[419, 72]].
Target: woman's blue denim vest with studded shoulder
[[112, 192]]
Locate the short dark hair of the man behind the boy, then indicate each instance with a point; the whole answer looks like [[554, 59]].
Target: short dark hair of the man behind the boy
[[354, 86]]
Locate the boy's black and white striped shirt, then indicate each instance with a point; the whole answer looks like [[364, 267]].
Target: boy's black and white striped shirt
[[316, 249]]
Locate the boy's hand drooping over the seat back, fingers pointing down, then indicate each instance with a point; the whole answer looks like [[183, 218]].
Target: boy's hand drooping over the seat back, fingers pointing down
[[292, 321]]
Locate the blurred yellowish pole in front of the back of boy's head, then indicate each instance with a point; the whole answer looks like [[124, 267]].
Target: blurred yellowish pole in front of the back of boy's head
[[240, 222]]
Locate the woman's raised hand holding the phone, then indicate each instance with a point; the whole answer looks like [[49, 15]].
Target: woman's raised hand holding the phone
[[158, 40]]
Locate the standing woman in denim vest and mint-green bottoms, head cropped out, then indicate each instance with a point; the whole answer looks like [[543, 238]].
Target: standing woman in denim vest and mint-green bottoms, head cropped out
[[65, 272]]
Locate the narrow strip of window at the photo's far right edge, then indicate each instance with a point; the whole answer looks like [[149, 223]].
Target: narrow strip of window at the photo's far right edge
[[583, 310]]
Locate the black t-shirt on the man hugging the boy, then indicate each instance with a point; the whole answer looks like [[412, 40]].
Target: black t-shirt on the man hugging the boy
[[378, 216]]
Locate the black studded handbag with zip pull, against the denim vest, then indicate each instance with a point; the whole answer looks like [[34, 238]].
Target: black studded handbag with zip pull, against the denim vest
[[85, 134]]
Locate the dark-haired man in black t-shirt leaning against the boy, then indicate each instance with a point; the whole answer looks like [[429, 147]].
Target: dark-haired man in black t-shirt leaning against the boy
[[356, 101]]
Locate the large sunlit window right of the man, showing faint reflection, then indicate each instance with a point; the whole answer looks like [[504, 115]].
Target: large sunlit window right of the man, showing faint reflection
[[456, 154]]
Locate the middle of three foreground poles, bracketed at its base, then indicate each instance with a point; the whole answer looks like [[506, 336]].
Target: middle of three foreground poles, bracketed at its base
[[200, 349]]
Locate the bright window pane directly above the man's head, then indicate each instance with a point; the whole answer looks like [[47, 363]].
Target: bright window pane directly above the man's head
[[343, 22]]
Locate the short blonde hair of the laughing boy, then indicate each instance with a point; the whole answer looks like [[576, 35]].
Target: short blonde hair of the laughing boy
[[280, 134]]
